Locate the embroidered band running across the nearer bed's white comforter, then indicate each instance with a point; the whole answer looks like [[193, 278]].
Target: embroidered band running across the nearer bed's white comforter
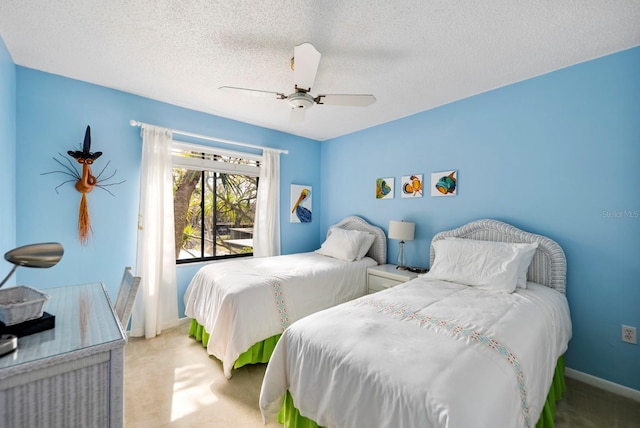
[[404, 313]]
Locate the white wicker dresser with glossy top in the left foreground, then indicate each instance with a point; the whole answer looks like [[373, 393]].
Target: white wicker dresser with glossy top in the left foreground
[[71, 375]]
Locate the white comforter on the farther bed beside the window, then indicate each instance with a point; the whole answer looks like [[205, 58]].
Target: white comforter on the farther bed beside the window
[[242, 302]]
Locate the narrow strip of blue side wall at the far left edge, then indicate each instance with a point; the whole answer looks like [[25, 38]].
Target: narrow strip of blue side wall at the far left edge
[[8, 155]]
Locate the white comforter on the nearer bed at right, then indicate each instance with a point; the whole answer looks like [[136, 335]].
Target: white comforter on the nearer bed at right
[[426, 353]]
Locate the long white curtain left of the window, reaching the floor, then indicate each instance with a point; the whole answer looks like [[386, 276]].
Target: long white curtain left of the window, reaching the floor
[[156, 306]]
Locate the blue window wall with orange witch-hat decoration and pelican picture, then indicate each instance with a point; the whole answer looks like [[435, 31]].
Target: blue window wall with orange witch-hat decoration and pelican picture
[[52, 114]]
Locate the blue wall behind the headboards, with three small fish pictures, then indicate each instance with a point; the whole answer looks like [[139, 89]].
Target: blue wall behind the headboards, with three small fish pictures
[[557, 155]]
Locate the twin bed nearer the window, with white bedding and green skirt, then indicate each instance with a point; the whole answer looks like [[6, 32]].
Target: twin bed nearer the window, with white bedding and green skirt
[[239, 308]]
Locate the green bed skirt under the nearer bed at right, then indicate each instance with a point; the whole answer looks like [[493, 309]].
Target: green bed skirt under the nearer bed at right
[[291, 418]]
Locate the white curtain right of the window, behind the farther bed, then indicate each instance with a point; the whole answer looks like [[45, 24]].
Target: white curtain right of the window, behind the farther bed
[[266, 235]]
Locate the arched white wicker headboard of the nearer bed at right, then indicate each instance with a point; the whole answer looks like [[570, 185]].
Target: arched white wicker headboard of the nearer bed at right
[[549, 265]]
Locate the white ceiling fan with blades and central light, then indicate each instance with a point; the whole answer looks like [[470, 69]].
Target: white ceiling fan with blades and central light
[[304, 64]]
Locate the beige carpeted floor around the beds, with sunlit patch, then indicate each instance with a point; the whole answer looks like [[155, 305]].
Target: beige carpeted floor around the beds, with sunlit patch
[[170, 381]]
